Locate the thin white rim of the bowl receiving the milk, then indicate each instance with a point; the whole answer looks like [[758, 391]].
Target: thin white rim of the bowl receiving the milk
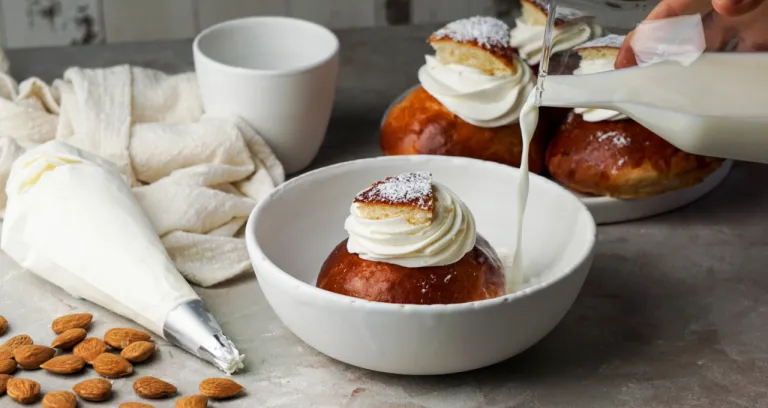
[[259, 257]]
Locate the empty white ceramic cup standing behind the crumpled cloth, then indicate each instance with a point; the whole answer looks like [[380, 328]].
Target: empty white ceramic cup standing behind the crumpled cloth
[[278, 74]]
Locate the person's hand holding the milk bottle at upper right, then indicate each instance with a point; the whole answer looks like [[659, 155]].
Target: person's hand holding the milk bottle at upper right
[[723, 20]]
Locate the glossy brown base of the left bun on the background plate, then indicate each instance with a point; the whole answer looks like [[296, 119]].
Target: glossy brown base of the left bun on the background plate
[[420, 124]]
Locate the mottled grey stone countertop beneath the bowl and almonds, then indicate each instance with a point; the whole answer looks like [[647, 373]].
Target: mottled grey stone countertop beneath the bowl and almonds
[[673, 313]]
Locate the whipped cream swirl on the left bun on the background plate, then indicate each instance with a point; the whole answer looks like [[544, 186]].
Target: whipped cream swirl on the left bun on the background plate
[[480, 99]]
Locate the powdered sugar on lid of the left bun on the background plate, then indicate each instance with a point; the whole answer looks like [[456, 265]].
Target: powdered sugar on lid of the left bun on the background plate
[[487, 32]]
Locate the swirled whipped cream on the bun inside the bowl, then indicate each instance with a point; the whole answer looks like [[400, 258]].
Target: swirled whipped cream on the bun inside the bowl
[[444, 241]]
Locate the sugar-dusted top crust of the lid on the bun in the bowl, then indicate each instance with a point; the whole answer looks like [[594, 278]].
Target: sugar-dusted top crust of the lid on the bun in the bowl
[[408, 188]]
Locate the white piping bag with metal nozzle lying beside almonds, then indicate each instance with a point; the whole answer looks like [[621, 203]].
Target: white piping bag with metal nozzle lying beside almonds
[[71, 219]]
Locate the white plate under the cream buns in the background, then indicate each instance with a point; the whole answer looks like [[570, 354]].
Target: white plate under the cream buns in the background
[[608, 210]]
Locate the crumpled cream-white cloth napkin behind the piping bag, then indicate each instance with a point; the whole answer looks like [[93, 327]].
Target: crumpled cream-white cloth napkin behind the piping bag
[[196, 176]]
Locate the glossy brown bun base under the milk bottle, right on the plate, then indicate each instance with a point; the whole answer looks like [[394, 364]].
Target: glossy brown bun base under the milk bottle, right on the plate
[[621, 159]]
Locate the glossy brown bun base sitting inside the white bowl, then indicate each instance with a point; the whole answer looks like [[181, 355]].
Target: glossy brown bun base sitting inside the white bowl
[[479, 275]]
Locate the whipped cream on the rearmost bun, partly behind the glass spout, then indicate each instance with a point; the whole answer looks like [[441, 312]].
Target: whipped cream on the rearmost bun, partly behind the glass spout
[[529, 38]]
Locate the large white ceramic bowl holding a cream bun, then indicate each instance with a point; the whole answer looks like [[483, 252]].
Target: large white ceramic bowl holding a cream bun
[[292, 231]]
